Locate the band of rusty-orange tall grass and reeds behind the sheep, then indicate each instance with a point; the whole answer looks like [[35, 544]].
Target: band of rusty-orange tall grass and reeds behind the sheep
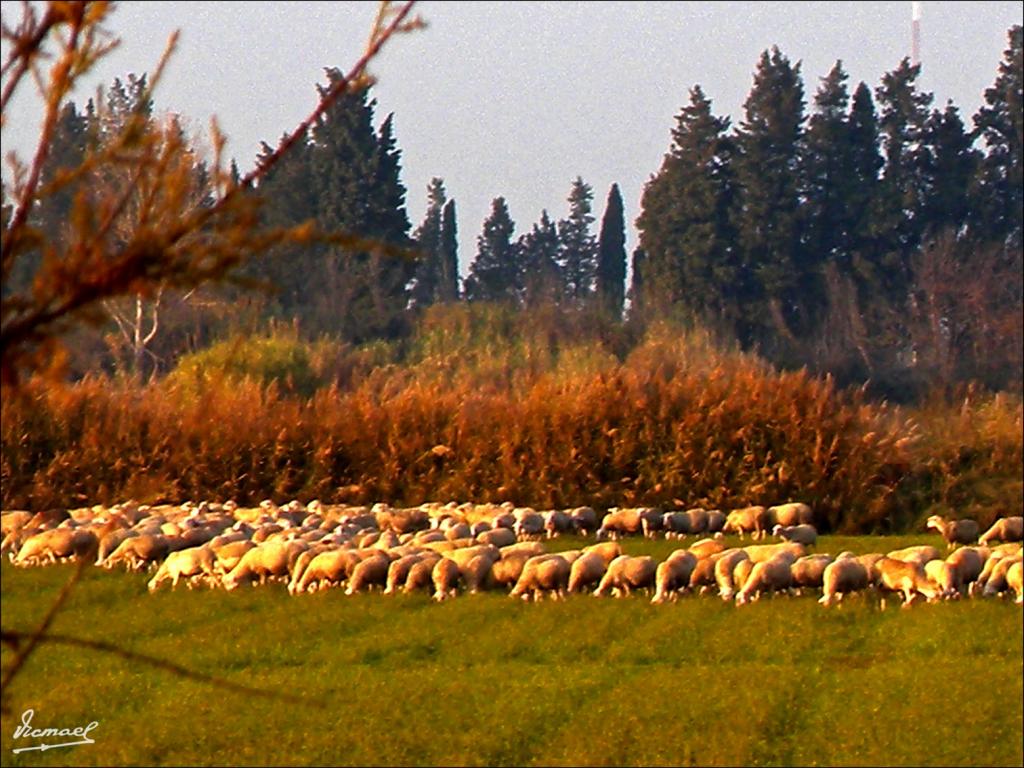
[[483, 409]]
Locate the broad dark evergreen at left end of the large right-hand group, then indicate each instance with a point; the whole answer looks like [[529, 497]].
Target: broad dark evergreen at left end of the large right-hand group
[[686, 221]]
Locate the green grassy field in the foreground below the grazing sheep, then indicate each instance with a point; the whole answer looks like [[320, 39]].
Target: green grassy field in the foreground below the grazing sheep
[[487, 680]]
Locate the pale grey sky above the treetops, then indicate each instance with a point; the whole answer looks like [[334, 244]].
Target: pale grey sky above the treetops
[[517, 100]]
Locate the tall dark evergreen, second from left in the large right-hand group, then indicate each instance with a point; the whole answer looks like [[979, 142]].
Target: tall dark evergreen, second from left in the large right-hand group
[[767, 172]]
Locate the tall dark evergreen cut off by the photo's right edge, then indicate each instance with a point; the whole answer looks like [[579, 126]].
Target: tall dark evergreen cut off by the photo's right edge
[[1001, 123]]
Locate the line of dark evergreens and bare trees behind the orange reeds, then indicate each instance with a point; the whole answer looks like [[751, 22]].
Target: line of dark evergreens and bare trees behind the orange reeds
[[873, 236]]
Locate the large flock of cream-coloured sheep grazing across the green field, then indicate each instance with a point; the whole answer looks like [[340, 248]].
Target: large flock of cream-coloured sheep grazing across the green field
[[448, 549]]
